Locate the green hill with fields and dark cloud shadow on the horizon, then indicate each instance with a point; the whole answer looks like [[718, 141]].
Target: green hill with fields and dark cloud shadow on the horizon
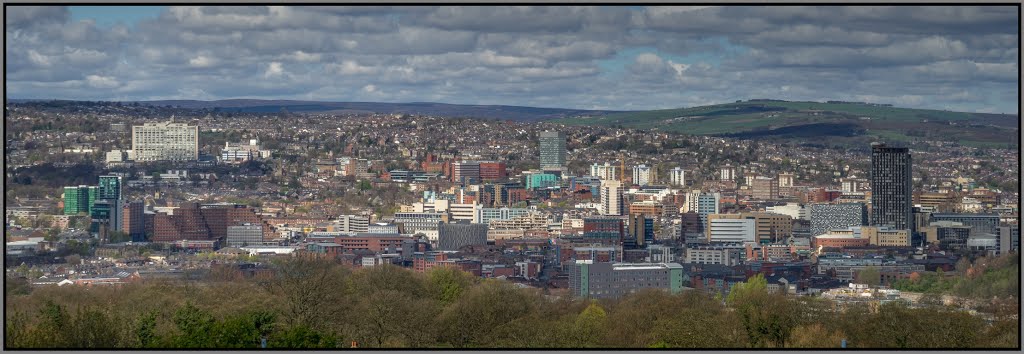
[[836, 121]]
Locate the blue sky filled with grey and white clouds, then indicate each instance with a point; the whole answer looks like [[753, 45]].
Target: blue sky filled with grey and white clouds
[[592, 58]]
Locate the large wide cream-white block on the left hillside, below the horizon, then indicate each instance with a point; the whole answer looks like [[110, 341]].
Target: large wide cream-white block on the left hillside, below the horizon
[[165, 142]]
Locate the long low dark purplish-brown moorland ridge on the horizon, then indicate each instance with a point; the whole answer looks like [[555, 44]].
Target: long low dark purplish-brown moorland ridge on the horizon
[[515, 113]]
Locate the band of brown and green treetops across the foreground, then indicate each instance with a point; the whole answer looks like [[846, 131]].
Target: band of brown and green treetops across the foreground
[[320, 304]]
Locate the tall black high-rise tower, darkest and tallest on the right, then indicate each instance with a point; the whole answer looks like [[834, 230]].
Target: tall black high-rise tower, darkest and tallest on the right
[[891, 188]]
